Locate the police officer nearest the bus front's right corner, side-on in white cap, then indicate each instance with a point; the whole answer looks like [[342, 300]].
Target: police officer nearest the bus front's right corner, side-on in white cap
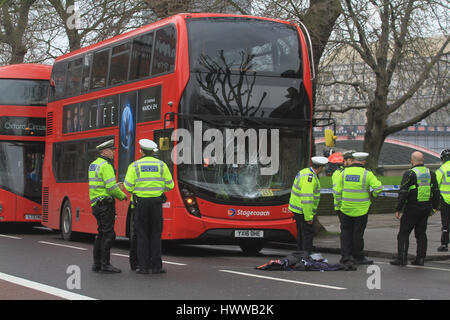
[[304, 200]]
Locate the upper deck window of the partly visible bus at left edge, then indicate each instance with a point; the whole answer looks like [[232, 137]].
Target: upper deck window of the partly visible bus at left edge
[[23, 92]]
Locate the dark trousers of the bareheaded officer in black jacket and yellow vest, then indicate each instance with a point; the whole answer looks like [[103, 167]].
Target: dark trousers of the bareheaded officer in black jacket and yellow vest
[[417, 219]]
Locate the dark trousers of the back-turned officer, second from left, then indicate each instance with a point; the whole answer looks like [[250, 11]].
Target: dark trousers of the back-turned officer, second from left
[[149, 223]]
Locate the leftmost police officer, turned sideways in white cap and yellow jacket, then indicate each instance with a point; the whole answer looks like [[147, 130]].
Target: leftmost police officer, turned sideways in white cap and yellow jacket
[[103, 189]]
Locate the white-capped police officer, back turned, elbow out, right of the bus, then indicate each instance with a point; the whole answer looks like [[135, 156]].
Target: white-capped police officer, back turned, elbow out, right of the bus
[[354, 198]]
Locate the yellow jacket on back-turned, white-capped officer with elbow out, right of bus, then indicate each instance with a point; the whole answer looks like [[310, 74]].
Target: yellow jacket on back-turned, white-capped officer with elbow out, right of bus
[[352, 190]]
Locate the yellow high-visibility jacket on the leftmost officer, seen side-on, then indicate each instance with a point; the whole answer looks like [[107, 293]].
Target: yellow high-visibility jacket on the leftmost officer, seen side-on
[[102, 181]]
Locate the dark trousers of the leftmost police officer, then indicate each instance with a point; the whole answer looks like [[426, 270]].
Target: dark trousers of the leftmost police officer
[[106, 217]]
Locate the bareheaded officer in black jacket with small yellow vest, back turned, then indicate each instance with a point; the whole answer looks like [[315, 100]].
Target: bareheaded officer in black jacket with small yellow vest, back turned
[[419, 191]]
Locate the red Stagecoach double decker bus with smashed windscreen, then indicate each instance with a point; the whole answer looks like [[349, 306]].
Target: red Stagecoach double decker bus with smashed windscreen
[[226, 97]]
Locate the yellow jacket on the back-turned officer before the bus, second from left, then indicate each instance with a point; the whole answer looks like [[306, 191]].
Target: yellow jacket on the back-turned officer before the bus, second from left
[[148, 177]]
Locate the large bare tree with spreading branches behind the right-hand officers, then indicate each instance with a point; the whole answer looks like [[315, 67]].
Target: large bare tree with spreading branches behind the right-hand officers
[[393, 62]]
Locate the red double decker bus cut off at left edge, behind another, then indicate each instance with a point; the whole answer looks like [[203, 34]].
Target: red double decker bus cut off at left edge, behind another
[[23, 101]]
